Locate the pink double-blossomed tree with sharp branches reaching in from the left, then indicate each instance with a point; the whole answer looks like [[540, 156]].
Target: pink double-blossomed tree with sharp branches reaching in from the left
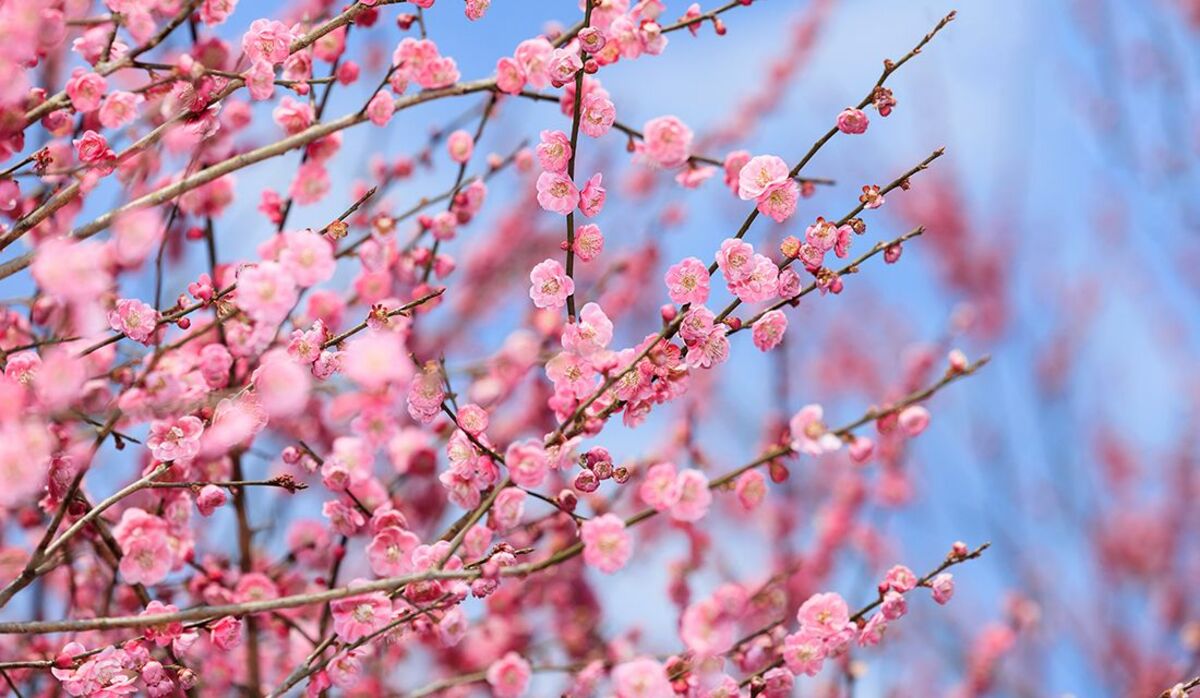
[[375, 453]]
